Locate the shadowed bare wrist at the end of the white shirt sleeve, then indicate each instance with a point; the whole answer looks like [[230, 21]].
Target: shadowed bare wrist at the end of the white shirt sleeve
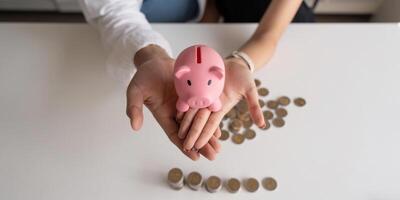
[[149, 52]]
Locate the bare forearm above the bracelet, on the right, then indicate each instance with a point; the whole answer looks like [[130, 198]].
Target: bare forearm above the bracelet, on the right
[[261, 46]]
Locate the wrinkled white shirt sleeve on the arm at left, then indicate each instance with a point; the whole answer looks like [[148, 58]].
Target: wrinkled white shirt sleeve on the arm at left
[[124, 30]]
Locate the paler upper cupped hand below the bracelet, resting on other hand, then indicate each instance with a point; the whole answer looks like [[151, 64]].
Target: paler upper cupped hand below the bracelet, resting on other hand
[[198, 126]]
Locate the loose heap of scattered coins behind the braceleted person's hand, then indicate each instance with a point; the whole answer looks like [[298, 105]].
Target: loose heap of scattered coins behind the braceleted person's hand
[[239, 120]]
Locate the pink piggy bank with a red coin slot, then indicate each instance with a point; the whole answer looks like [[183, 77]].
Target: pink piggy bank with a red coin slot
[[199, 78]]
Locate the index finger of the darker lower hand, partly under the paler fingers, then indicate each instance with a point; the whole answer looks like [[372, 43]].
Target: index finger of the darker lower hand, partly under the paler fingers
[[171, 127]]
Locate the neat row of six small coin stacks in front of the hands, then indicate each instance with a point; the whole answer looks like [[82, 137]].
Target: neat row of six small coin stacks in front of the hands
[[213, 184]]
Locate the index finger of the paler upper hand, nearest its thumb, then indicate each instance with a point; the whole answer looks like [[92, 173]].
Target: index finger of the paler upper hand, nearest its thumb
[[209, 129]]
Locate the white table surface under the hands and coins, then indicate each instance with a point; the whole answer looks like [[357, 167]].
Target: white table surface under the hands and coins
[[64, 133]]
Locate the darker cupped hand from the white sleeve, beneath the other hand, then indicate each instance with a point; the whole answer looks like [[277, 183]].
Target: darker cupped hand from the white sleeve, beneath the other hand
[[153, 86]]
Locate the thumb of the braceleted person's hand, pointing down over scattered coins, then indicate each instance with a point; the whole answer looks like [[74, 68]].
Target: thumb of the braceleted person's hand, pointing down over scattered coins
[[254, 107]]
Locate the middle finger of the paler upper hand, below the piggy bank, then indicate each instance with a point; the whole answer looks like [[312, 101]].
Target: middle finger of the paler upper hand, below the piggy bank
[[197, 126]]
